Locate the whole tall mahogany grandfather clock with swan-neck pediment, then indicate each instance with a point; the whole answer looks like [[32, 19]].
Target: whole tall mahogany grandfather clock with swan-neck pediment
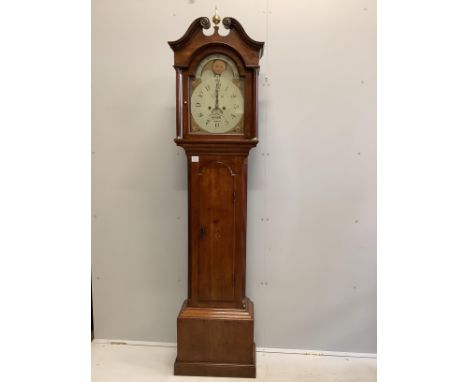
[[216, 121]]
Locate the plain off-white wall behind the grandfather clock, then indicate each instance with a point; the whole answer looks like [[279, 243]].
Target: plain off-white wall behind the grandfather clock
[[311, 268]]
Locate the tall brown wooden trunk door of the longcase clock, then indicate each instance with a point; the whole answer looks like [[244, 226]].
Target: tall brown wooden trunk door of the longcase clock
[[216, 219]]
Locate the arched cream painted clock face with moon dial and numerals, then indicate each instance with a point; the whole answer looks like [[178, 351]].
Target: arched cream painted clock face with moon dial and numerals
[[217, 102]]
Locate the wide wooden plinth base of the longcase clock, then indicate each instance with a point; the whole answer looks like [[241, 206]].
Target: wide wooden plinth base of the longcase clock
[[215, 342]]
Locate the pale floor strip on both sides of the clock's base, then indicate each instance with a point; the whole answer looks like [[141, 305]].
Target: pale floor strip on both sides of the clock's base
[[119, 363]]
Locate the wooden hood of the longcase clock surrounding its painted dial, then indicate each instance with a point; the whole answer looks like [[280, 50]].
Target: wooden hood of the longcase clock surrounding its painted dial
[[190, 50]]
